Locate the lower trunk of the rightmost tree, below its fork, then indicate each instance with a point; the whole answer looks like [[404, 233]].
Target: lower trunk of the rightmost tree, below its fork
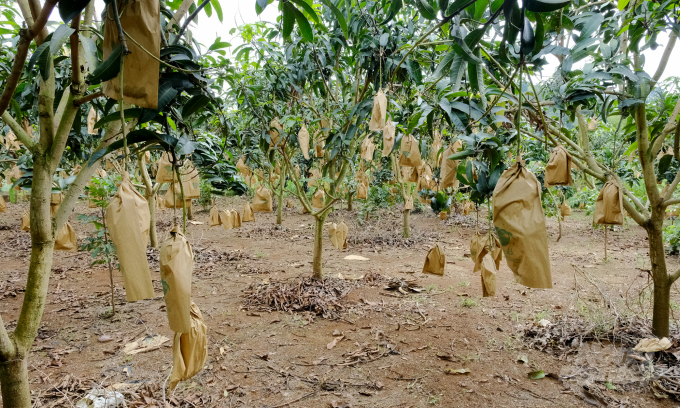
[[662, 282]]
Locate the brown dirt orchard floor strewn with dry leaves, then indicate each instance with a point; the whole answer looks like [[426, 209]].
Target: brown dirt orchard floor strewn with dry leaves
[[395, 350]]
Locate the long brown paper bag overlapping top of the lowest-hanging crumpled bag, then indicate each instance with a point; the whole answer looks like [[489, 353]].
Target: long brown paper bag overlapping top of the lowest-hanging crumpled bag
[[177, 265]]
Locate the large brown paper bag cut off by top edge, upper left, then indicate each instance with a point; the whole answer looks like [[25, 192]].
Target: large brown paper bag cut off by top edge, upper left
[[142, 21]]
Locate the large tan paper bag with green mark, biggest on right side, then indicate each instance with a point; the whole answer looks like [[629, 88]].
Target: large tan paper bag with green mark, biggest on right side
[[520, 224]]
